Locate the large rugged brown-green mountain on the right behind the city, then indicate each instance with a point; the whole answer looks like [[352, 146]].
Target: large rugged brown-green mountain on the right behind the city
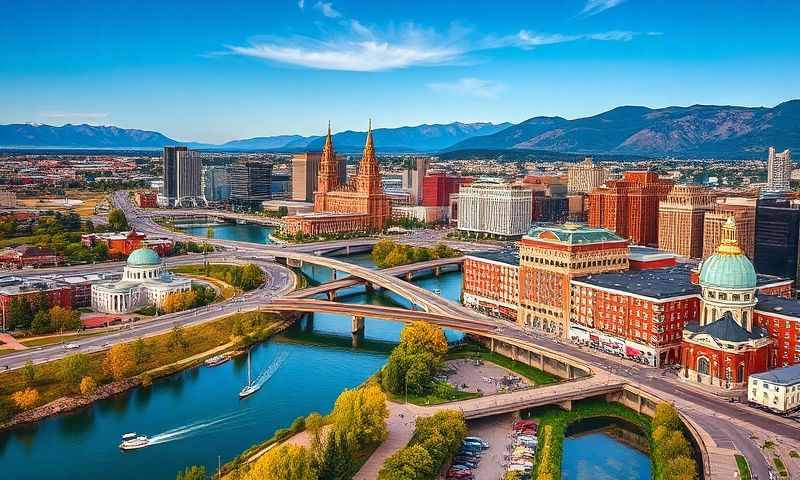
[[696, 131]]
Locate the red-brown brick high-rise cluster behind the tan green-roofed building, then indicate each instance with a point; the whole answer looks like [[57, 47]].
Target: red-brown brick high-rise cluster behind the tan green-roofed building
[[629, 206]]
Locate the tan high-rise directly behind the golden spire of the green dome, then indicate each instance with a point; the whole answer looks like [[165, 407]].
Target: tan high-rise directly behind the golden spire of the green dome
[[743, 211]]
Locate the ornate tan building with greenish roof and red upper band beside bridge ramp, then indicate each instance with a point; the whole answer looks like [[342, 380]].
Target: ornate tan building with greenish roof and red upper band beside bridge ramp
[[550, 257]]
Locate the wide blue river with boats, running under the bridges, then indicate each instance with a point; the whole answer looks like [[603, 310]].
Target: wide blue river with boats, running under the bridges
[[197, 413]]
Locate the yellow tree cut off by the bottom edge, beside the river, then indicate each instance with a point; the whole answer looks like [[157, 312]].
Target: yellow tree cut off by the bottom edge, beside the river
[[286, 462]]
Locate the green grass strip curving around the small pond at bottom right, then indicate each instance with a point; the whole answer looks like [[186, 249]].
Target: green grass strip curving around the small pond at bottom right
[[553, 422]]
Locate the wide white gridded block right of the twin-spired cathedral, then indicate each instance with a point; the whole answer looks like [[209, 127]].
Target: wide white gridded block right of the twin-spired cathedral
[[498, 209]]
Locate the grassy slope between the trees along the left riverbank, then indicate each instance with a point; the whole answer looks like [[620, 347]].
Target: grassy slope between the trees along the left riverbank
[[159, 350]]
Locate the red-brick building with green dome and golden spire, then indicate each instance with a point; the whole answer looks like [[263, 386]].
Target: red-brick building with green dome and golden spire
[[725, 346]]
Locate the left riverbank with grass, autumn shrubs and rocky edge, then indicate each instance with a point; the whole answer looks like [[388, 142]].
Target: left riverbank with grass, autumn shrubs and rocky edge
[[141, 361]]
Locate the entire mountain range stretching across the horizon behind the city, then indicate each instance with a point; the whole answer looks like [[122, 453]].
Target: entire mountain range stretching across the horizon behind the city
[[698, 131]]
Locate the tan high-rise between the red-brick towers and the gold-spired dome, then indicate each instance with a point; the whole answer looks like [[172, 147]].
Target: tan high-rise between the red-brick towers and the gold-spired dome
[[680, 220]]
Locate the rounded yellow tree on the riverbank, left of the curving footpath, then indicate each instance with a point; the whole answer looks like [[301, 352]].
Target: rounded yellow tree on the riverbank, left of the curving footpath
[[360, 416]]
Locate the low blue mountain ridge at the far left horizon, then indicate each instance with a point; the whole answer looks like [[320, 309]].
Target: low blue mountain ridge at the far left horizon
[[79, 136]]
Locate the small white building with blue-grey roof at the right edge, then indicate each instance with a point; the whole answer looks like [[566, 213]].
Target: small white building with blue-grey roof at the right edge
[[777, 389]]
